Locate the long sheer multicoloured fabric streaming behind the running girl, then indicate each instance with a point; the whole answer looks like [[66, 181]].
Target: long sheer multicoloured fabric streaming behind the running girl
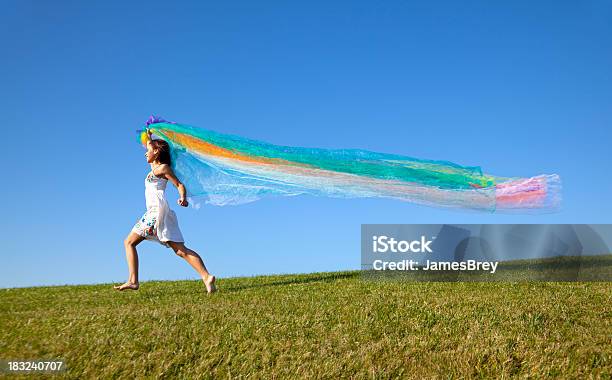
[[226, 169]]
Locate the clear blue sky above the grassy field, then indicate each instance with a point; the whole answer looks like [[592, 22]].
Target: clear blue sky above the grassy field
[[519, 88]]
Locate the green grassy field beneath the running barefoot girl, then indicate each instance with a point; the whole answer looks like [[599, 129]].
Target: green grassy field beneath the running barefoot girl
[[326, 325]]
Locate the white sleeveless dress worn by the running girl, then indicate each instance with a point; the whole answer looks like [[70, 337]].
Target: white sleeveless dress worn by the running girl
[[159, 222]]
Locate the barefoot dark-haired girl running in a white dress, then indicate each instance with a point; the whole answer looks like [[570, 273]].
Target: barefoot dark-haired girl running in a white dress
[[159, 223]]
